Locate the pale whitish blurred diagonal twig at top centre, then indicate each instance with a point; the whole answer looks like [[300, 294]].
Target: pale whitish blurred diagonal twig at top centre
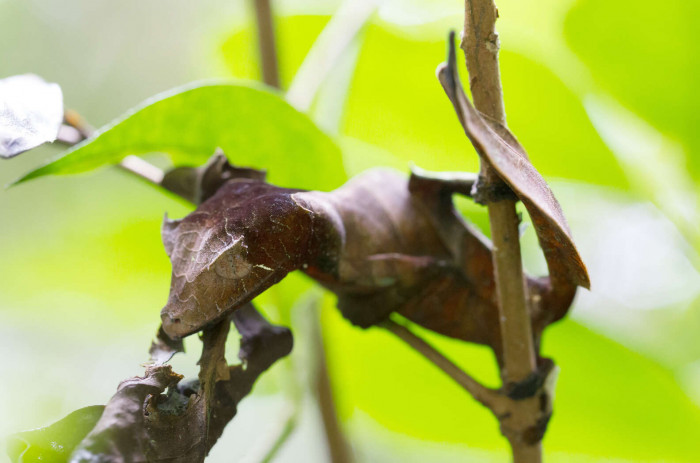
[[330, 45]]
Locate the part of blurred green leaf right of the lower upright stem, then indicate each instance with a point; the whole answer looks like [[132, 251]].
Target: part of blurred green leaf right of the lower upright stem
[[647, 416]]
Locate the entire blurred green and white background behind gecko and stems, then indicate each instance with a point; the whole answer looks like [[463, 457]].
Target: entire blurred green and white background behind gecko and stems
[[602, 94]]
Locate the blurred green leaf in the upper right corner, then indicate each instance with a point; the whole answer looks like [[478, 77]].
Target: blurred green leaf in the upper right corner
[[646, 56]]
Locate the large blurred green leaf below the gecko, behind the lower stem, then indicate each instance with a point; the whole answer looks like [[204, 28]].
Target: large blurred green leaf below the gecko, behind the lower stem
[[610, 402]]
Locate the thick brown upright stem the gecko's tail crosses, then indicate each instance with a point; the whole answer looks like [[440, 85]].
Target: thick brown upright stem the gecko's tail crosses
[[480, 44]]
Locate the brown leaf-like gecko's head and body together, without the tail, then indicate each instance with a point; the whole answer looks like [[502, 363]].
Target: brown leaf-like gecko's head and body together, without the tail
[[382, 244]]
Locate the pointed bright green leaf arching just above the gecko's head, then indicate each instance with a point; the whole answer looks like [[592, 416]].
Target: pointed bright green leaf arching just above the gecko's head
[[254, 127]]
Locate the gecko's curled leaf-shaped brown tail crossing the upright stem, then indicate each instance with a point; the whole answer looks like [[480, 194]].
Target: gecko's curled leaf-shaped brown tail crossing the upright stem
[[501, 150]]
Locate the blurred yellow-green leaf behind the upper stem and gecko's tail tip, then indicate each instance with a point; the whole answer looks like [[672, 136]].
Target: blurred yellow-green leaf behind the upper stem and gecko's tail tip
[[387, 111]]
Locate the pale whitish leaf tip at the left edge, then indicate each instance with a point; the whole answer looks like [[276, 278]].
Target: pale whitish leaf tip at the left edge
[[31, 113]]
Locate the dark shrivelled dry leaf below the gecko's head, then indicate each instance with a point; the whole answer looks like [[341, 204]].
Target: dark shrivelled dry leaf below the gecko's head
[[144, 423]]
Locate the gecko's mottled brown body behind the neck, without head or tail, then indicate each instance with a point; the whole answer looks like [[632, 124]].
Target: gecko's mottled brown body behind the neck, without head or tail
[[407, 250]]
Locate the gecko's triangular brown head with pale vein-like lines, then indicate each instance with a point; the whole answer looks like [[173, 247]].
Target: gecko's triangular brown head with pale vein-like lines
[[235, 245]]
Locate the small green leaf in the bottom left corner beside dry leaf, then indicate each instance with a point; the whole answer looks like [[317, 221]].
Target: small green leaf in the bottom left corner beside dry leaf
[[54, 443]]
